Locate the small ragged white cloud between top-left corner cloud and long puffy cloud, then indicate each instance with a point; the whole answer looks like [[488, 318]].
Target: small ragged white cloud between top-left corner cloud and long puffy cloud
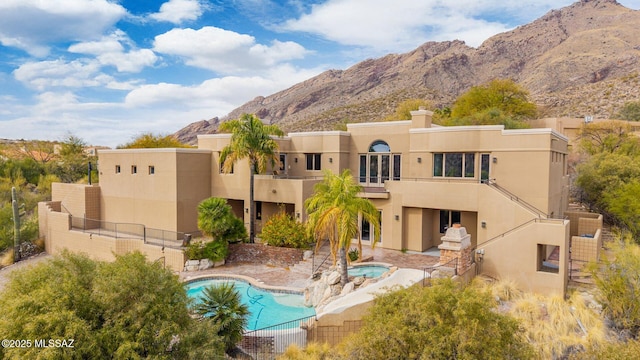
[[109, 51]]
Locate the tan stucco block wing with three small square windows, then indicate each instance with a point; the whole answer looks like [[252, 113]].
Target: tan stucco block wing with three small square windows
[[164, 200]]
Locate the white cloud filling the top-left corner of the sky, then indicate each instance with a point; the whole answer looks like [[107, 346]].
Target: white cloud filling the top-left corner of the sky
[[31, 25]]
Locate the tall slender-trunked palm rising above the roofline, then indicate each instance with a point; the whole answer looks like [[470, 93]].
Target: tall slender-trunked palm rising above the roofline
[[252, 140]]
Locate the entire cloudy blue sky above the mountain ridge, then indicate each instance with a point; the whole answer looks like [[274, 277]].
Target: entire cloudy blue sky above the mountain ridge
[[108, 71]]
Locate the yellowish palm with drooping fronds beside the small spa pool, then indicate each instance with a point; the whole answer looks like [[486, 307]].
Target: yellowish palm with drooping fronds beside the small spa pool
[[334, 209]]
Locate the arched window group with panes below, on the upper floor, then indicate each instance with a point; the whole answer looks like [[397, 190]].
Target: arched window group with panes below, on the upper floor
[[379, 165]]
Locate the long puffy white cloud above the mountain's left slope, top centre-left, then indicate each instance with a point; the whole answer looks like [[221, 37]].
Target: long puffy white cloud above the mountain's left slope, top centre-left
[[224, 51]]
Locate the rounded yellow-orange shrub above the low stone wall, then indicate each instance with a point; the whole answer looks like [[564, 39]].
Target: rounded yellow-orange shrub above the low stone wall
[[283, 230]]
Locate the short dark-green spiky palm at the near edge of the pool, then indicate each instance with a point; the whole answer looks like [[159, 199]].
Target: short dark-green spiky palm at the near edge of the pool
[[222, 304]]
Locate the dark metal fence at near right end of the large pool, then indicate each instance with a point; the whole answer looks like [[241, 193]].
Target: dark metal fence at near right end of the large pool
[[269, 342]]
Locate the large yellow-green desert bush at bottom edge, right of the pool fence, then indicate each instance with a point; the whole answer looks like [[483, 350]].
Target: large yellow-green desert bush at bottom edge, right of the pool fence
[[444, 321]]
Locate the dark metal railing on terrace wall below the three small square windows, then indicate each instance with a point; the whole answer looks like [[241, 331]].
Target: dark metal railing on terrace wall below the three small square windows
[[128, 231]]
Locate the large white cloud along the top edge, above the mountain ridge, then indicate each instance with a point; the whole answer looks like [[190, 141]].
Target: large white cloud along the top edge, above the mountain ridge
[[407, 24]]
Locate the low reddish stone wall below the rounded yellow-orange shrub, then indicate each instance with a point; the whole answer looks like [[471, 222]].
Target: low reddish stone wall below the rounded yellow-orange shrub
[[265, 254]]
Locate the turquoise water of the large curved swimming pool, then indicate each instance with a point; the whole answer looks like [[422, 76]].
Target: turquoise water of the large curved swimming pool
[[266, 308]]
